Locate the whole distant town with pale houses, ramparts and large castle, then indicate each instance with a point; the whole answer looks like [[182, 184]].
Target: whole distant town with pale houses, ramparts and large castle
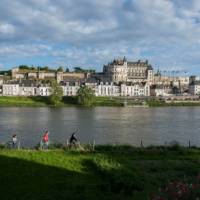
[[119, 77]]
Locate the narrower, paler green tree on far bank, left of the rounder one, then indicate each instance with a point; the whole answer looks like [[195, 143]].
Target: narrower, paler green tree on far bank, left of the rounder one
[[56, 93]]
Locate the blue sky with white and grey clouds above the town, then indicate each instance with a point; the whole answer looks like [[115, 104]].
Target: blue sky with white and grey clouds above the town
[[91, 33]]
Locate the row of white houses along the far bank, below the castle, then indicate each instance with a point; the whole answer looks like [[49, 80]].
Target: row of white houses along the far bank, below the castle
[[71, 89]]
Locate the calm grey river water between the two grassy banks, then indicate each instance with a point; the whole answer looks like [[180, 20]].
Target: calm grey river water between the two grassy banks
[[105, 125]]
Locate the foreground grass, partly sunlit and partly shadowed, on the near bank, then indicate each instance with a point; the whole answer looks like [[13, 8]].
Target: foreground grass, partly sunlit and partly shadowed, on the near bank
[[108, 173]]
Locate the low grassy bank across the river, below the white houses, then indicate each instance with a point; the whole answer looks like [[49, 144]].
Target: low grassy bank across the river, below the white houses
[[40, 101]]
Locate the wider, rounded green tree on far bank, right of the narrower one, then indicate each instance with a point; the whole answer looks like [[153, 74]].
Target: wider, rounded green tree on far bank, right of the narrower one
[[85, 96]]
